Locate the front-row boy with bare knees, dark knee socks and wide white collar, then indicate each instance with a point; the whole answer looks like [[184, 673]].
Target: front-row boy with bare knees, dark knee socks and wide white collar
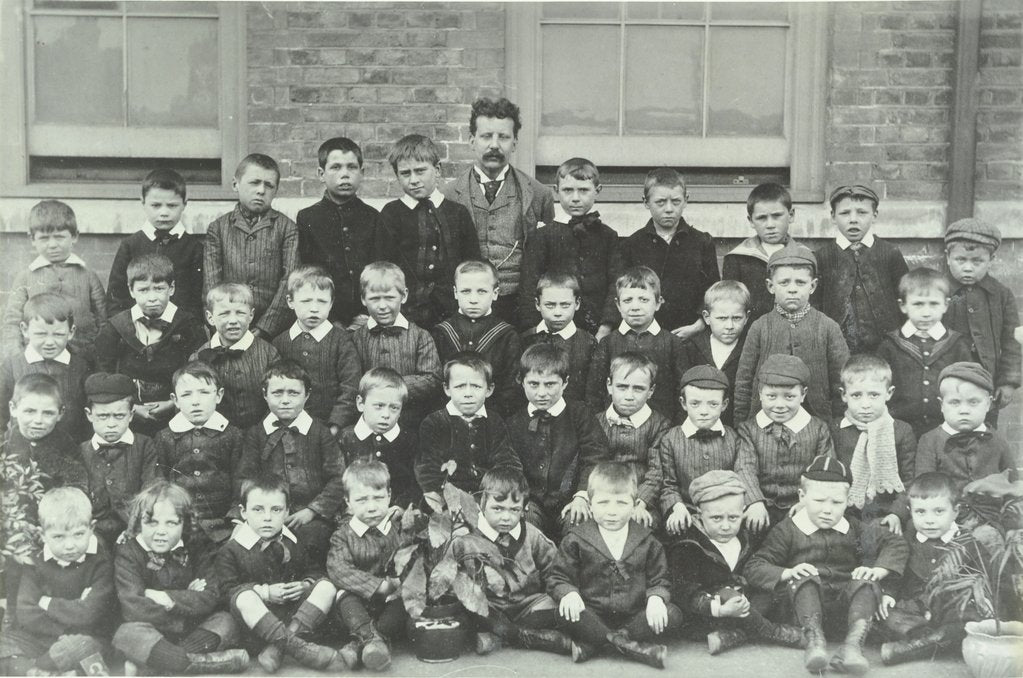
[[272, 585]]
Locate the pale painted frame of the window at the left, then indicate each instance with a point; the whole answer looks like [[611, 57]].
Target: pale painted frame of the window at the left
[[16, 82]]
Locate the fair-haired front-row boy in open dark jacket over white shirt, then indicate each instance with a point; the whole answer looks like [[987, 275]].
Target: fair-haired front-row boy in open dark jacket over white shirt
[[611, 577]]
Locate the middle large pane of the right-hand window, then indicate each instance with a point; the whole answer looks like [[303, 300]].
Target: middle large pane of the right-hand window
[[663, 80]]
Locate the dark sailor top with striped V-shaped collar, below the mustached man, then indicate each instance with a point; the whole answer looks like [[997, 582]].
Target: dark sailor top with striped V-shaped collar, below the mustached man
[[497, 342]]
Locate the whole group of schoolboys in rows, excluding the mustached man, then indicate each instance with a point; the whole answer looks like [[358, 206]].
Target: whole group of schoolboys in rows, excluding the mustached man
[[705, 454]]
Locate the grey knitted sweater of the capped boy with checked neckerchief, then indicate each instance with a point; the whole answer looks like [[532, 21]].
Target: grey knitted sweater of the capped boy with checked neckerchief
[[816, 340]]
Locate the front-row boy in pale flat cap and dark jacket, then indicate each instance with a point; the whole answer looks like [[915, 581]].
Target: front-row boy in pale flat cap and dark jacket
[[707, 569]]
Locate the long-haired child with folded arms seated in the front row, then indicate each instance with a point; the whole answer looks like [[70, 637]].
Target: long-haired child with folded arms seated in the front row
[[169, 605]]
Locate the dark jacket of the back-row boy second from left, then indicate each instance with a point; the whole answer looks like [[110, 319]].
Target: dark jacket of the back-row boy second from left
[[186, 252]]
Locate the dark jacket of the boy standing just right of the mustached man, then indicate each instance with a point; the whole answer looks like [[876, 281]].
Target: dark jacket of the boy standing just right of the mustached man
[[589, 252]]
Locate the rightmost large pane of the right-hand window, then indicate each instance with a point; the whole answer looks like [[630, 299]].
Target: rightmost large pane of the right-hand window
[[747, 82]]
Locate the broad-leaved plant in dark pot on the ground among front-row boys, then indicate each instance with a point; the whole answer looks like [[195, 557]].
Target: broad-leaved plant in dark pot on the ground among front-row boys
[[437, 583]]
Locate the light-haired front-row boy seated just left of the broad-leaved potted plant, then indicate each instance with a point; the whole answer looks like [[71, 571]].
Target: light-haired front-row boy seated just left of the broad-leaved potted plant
[[369, 603]]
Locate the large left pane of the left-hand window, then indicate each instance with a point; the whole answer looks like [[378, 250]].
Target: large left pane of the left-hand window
[[78, 74]]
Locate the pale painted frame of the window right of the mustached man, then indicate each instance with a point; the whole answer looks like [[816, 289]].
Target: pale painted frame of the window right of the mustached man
[[805, 124]]
